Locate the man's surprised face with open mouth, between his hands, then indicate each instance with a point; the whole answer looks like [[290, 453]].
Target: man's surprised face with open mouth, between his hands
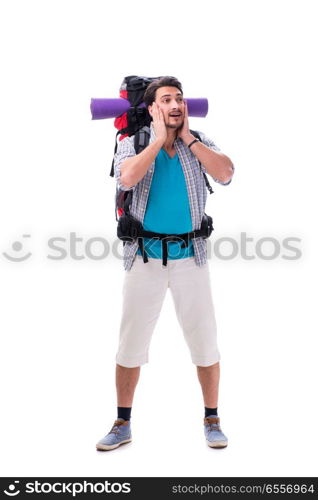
[[171, 103]]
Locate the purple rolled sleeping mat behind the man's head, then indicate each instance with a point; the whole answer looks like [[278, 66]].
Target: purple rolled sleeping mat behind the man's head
[[111, 108]]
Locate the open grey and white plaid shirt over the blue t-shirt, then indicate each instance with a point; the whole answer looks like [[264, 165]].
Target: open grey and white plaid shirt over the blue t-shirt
[[197, 191]]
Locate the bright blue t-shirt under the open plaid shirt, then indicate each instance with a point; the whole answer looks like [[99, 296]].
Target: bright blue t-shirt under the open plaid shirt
[[168, 209]]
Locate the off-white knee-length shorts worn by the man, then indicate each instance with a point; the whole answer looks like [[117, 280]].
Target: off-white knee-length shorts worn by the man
[[145, 287]]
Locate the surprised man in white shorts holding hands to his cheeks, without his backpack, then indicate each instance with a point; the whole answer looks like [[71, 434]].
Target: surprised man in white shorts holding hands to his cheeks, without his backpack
[[169, 196]]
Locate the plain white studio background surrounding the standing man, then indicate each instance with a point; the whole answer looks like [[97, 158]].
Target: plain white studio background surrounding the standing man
[[256, 63]]
